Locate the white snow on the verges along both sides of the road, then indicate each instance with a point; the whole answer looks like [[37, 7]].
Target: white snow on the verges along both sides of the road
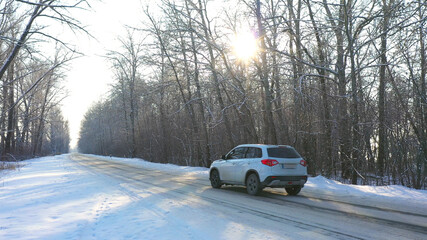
[[56, 198]]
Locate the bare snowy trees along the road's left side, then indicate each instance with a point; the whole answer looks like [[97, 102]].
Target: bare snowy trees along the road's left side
[[31, 122]]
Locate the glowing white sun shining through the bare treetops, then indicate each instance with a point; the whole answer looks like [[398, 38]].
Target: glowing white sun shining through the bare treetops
[[245, 45]]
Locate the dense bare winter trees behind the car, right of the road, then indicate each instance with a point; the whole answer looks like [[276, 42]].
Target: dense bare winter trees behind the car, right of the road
[[344, 82]]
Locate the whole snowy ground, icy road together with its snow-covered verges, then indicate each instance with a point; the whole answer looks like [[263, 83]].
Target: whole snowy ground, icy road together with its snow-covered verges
[[89, 197]]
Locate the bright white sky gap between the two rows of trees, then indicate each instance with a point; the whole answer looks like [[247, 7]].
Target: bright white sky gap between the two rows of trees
[[89, 77]]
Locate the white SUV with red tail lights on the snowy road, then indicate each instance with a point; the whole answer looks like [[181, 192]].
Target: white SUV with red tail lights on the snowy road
[[257, 166]]
